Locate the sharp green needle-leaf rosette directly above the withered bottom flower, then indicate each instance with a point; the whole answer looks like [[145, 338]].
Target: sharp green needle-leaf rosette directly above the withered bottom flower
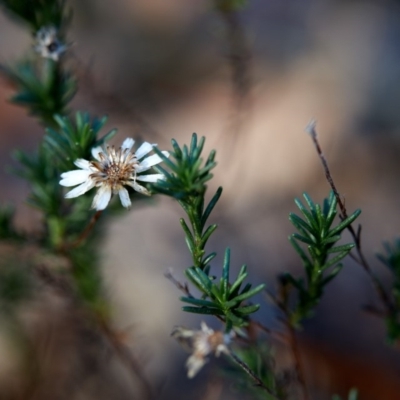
[[223, 299]]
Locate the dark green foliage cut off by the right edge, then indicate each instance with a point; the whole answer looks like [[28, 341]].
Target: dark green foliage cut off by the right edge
[[391, 259]]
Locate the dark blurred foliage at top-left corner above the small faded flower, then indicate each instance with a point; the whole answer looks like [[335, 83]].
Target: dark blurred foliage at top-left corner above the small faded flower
[[44, 13]]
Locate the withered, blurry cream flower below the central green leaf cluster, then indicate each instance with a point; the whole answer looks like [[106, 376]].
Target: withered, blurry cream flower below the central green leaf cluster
[[201, 344]]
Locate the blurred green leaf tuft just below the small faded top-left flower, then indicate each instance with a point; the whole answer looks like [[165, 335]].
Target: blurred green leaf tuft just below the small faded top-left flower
[[42, 87]]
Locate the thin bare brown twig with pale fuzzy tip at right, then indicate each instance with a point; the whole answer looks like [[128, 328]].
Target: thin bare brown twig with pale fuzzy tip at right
[[361, 260]]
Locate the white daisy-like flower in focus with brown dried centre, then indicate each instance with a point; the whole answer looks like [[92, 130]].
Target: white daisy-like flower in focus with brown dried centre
[[112, 170]]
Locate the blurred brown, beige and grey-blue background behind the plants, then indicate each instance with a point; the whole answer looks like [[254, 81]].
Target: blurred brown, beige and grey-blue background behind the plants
[[164, 69]]
